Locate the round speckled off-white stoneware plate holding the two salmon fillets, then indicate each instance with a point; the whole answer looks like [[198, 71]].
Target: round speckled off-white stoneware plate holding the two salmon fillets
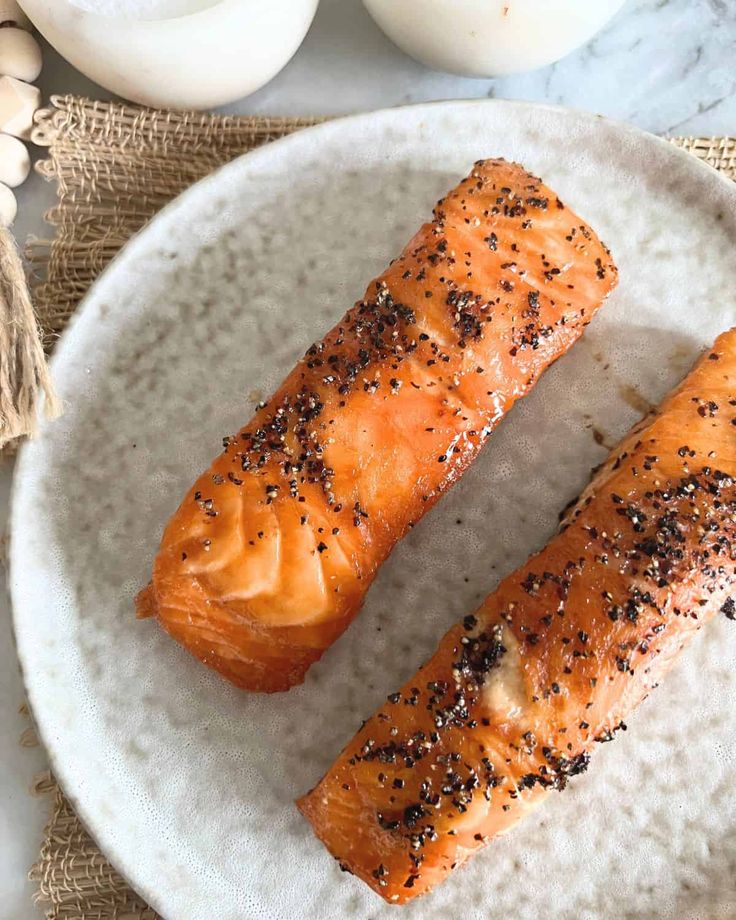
[[188, 784]]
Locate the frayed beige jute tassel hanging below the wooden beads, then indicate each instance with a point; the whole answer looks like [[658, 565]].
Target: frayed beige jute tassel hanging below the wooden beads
[[24, 377]]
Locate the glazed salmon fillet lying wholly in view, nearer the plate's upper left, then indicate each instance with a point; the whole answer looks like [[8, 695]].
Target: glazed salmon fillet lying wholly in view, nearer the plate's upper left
[[271, 553]]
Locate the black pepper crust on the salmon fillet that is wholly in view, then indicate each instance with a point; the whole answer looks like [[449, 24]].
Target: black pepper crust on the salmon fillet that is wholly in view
[[378, 334]]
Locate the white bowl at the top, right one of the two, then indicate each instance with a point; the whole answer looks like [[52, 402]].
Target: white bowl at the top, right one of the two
[[488, 38]]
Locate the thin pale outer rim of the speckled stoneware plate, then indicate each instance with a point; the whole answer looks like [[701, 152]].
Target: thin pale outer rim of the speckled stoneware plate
[[23, 475]]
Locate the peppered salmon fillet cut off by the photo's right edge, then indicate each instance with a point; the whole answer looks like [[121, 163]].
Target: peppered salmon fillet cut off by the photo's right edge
[[516, 696]]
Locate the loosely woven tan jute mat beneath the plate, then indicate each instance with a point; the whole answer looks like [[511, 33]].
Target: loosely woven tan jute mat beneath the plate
[[114, 167]]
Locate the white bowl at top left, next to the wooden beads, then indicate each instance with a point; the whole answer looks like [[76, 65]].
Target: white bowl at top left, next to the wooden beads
[[201, 60]]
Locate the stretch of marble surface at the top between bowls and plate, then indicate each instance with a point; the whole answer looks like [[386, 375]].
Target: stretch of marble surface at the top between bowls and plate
[[666, 65]]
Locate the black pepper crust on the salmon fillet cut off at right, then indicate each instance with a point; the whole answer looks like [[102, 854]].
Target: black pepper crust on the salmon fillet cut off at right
[[652, 546]]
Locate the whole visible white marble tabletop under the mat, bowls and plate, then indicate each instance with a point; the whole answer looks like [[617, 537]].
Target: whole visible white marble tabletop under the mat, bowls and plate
[[665, 65]]
